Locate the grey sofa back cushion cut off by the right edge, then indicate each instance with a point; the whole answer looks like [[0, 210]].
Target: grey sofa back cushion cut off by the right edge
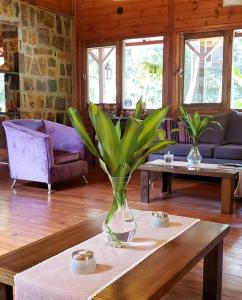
[[233, 134]]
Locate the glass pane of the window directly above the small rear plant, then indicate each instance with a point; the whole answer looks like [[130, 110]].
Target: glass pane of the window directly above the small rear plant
[[203, 70]]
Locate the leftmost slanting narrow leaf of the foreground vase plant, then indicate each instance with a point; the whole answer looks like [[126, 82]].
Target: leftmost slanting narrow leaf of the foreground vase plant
[[78, 124]]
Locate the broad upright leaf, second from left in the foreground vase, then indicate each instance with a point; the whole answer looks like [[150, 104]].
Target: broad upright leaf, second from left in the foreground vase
[[108, 138]]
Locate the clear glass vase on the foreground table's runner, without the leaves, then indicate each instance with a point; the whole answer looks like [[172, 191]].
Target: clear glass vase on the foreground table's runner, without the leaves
[[119, 226]]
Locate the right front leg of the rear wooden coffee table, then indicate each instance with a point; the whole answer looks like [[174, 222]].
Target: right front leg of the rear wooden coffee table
[[227, 195]]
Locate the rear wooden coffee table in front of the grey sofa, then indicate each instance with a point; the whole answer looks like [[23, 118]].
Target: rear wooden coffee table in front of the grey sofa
[[228, 177]]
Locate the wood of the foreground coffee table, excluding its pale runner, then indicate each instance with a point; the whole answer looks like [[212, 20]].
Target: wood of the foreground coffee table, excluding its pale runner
[[158, 273]]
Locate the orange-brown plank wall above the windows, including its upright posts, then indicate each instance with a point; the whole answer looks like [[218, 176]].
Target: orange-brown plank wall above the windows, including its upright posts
[[97, 20]]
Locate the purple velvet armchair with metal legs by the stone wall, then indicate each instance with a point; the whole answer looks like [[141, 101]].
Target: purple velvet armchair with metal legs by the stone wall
[[44, 151]]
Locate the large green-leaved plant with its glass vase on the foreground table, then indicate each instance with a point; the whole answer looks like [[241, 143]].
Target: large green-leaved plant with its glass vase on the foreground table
[[119, 156]]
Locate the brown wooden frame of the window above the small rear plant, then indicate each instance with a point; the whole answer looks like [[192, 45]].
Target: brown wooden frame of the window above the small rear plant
[[226, 70]]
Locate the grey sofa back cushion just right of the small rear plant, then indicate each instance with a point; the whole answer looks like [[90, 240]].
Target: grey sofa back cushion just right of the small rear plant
[[214, 134]]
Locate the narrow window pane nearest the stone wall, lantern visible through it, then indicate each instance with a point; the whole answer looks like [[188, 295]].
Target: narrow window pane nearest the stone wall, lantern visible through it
[[102, 74]]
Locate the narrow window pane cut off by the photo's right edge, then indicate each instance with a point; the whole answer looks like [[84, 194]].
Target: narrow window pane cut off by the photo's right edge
[[236, 89]]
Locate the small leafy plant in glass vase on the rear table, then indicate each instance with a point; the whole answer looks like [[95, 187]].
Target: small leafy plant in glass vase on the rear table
[[195, 126]]
